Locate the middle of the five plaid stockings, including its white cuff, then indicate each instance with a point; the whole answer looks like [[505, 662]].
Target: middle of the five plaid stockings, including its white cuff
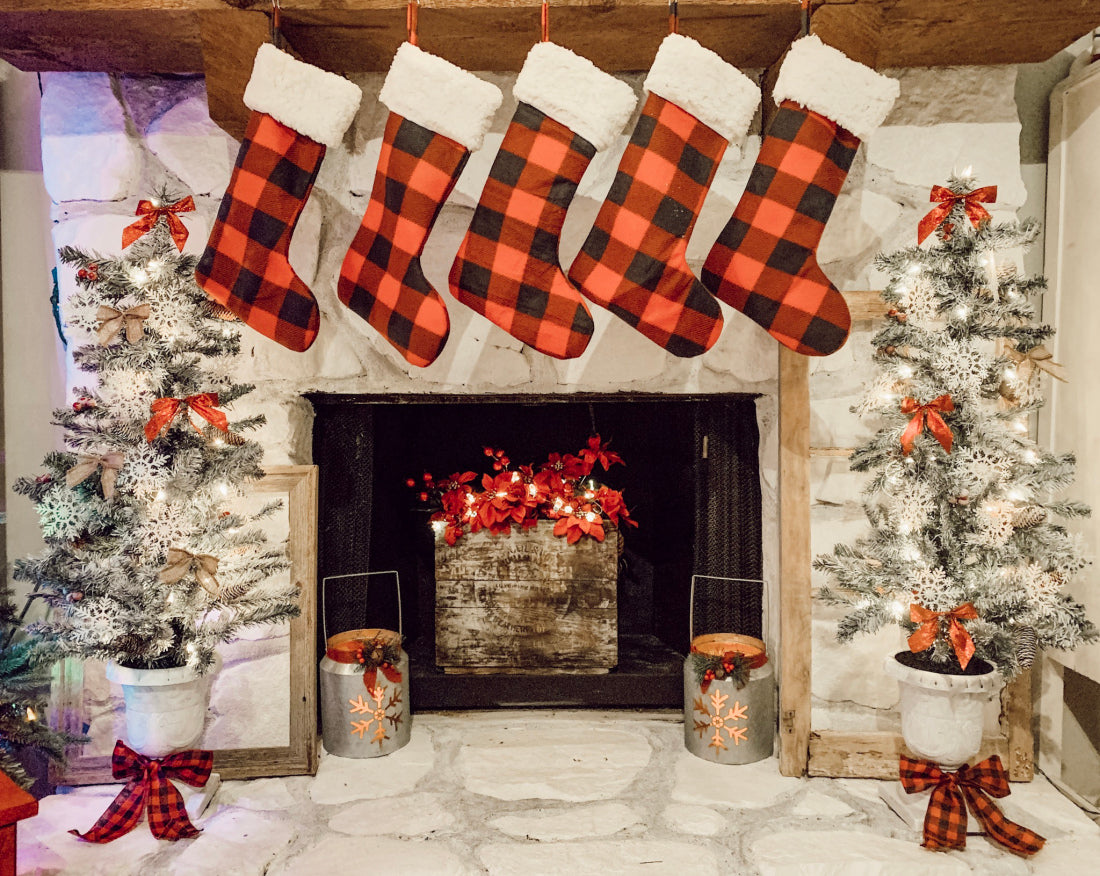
[[508, 266]]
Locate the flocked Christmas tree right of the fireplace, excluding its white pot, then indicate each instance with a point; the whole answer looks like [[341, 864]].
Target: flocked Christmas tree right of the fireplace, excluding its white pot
[[969, 543]]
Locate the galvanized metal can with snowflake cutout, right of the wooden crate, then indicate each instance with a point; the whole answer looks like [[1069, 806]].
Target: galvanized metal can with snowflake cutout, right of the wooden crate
[[730, 698]]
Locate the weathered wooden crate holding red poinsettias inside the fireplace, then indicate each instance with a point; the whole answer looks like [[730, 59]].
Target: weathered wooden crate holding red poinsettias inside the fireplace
[[526, 603]]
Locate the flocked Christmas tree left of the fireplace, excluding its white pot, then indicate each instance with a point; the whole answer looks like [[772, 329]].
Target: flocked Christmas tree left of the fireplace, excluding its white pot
[[145, 562]]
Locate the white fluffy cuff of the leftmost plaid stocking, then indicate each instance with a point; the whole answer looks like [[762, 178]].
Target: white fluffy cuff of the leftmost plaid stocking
[[314, 103]]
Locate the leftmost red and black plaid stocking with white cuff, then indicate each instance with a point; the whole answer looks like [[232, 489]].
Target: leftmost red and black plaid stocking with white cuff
[[298, 112]]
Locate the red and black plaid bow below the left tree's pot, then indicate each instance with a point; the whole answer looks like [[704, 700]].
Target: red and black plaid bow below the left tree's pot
[[148, 787]]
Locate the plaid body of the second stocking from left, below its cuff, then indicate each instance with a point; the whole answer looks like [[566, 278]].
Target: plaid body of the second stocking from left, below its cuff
[[381, 279]]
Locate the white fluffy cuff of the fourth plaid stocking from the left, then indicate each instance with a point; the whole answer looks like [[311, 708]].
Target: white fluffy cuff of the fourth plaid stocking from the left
[[701, 83]]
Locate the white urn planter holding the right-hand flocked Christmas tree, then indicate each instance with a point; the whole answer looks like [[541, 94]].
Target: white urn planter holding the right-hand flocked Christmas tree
[[942, 720]]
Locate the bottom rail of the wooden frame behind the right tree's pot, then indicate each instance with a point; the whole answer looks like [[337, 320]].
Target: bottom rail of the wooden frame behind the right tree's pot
[[873, 754]]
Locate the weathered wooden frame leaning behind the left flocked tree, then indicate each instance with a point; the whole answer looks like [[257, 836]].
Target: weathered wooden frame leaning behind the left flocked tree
[[299, 486]]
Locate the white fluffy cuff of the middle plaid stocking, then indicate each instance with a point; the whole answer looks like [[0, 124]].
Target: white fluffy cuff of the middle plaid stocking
[[576, 93]]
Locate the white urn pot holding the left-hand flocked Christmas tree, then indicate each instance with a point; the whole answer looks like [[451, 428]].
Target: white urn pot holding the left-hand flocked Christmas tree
[[166, 708]]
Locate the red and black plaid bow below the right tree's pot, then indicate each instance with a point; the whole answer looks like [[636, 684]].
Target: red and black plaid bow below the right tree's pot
[[953, 793]]
